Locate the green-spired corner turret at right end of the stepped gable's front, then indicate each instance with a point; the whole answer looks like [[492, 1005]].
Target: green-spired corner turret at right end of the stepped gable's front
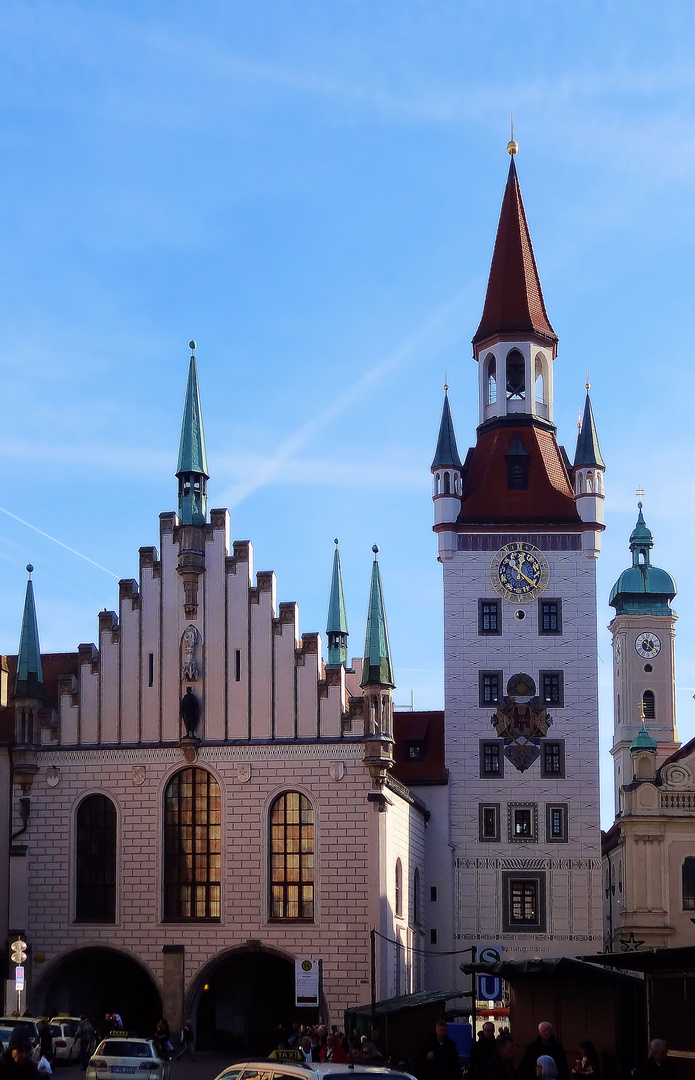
[[378, 684]]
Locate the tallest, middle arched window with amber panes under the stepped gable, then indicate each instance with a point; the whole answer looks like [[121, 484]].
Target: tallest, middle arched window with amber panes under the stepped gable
[[193, 846]]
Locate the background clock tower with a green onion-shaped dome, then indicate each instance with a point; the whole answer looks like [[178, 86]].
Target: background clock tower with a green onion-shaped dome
[[644, 669]]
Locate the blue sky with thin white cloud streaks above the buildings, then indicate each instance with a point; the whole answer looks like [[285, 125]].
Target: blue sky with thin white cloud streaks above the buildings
[[311, 191]]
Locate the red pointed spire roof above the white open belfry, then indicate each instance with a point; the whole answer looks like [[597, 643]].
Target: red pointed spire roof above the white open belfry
[[514, 303]]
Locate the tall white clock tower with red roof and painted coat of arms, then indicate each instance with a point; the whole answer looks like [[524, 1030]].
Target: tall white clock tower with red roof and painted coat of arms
[[519, 533]]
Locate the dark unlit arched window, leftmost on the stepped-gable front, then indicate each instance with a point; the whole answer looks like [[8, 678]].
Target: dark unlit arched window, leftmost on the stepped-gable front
[[96, 894]]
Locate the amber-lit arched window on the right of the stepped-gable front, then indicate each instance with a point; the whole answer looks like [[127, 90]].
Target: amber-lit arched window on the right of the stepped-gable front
[[292, 861]]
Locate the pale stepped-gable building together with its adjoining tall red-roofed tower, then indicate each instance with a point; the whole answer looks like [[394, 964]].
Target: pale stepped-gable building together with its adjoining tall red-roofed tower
[[207, 775]]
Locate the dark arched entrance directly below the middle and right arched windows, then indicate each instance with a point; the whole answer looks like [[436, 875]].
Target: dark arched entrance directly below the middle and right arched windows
[[242, 1000]]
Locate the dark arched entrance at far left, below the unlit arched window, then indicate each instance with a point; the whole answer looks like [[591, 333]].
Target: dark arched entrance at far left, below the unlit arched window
[[98, 981]]
